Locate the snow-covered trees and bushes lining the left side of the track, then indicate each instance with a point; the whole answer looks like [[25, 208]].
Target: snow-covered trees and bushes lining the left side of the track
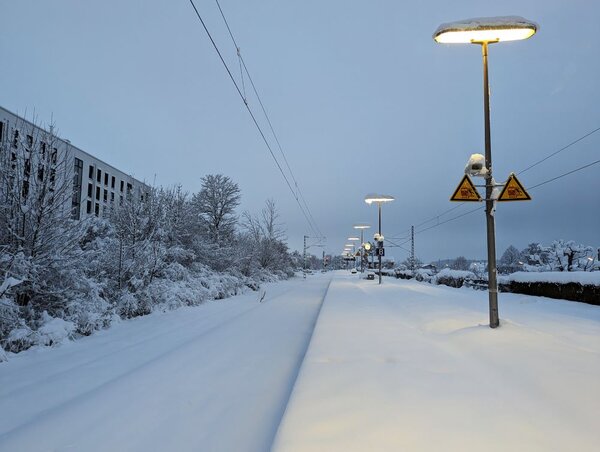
[[61, 277]]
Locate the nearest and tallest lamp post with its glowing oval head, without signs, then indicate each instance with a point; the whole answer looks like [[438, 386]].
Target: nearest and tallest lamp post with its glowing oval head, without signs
[[483, 32]]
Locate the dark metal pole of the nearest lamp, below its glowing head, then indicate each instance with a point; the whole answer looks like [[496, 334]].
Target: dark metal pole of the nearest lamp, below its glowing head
[[489, 204]]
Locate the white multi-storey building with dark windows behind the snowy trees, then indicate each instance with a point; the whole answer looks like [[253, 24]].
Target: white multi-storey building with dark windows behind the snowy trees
[[96, 186]]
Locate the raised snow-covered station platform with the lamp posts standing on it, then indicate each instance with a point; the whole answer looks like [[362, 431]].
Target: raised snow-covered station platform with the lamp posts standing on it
[[408, 366]]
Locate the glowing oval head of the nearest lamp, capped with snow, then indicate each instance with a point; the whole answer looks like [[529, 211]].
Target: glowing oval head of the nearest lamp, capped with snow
[[489, 29]]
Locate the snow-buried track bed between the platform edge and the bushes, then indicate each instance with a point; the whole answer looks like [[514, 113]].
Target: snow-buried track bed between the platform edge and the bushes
[[213, 378]]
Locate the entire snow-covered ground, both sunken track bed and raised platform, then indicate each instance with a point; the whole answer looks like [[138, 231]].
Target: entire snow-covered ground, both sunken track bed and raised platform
[[404, 366]]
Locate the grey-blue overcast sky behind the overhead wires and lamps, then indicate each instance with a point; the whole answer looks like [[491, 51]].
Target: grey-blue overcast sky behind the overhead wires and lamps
[[361, 97]]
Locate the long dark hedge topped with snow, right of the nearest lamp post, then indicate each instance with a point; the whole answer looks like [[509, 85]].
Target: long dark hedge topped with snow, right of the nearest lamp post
[[574, 286]]
